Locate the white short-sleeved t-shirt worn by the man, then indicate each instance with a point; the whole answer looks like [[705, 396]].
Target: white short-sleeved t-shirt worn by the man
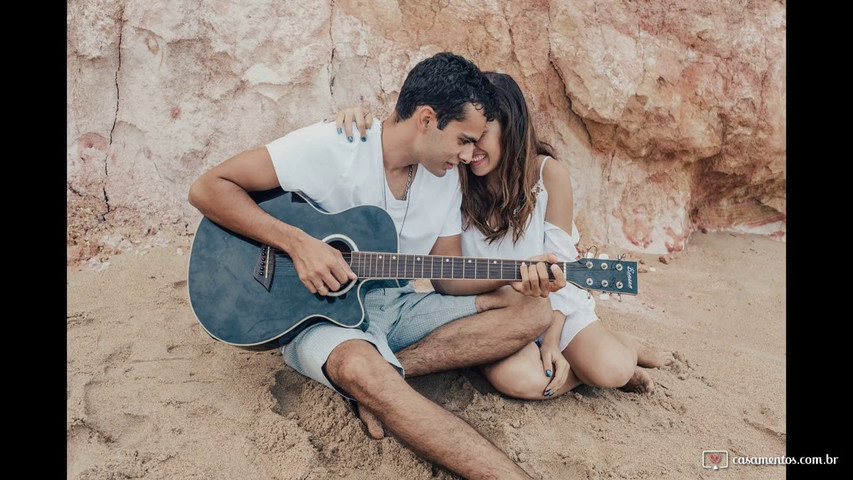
[[338, 174]]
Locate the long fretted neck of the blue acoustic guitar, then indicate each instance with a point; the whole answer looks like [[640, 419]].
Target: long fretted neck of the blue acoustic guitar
[[395, 265]]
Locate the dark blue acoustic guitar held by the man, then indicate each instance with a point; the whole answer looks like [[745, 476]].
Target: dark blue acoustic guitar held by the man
[[248, 294]]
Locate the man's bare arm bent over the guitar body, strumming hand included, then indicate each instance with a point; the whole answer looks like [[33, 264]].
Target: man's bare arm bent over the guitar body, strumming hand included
[[221, 194]]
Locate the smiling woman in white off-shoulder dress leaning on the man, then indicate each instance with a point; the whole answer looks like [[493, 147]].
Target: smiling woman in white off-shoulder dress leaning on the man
[[517, 203]]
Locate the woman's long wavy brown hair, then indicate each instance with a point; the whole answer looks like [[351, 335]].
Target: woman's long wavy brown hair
[[513, 205]]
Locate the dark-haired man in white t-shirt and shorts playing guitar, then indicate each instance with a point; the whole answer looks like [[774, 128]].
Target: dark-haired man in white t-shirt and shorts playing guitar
[[410, 171]]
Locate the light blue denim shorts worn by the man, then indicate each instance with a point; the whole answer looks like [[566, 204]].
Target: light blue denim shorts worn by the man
[[398, 318]]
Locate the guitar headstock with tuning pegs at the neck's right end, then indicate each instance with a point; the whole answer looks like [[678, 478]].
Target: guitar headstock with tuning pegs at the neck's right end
[[604, 274]]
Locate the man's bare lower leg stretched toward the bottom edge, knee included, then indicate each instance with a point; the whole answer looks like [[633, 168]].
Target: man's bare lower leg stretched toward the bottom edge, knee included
[[428, 430]]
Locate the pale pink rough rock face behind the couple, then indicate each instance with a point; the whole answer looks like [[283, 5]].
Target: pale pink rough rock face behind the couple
[[670, 114]]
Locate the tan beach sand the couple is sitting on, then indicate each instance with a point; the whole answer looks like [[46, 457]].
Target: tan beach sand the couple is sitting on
[[151, 396]]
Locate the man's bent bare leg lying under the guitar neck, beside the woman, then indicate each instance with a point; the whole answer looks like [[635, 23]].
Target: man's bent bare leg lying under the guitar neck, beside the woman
[[506, 321]]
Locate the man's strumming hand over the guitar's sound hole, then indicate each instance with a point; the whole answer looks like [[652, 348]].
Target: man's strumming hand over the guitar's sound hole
[[321, 268]]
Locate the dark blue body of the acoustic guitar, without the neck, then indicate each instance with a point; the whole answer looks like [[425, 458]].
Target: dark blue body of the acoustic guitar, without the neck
[[248, 298]]
